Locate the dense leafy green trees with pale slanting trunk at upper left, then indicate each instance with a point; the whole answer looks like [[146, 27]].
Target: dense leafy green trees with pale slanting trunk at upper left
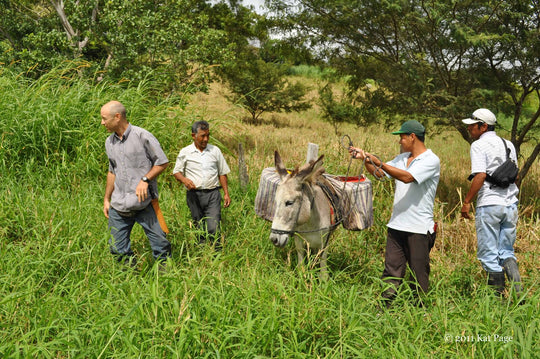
[[175, 41]]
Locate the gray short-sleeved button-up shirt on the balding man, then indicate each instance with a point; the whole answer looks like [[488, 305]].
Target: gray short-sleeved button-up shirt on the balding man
[[131, 158]]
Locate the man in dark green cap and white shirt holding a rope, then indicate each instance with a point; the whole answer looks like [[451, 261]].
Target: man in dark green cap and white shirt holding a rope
[[411, 229]]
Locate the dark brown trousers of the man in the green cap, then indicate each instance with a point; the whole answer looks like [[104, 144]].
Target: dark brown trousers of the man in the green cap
[[402, 248]]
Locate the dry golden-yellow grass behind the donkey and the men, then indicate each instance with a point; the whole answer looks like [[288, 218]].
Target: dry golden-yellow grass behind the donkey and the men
[[291, 133]]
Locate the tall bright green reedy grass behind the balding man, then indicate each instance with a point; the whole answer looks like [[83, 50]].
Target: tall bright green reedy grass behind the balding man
[[46, 122]]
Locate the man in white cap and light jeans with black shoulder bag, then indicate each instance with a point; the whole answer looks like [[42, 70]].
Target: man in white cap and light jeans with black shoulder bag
[[496, 207]]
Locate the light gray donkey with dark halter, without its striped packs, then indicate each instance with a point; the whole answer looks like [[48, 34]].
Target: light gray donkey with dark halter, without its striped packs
[[302, 210]]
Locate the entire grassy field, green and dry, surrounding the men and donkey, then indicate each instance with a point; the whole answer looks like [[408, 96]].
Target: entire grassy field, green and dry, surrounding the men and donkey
[[61, 294]]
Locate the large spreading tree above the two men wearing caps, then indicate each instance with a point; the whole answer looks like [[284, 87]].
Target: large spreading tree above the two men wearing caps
[[438, 60]]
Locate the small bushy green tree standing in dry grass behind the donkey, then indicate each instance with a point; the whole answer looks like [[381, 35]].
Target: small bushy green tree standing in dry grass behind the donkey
[[259, 87]]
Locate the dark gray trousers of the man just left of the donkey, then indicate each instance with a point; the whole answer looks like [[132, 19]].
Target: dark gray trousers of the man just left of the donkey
[[205, 207]]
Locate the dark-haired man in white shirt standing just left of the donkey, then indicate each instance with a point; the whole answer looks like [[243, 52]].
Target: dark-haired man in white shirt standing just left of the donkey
[[202, 169]]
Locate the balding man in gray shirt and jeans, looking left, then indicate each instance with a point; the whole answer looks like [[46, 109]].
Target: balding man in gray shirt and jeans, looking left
[[135, 161]]
